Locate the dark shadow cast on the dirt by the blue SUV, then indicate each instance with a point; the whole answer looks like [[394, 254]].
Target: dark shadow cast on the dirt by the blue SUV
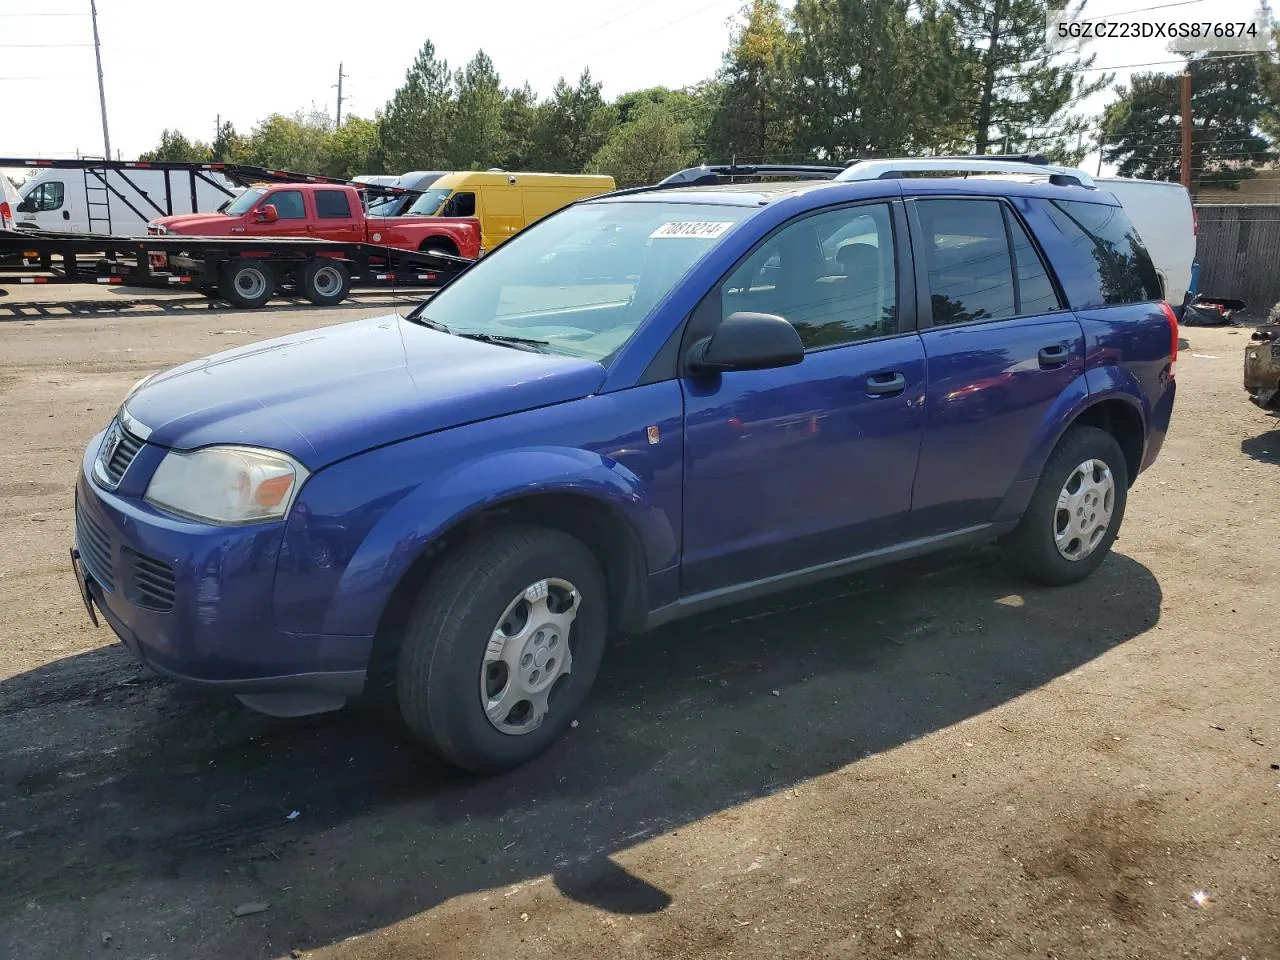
[[118, 790]]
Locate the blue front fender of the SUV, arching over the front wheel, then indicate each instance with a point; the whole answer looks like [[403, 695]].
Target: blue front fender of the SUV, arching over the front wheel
[[360, 524]]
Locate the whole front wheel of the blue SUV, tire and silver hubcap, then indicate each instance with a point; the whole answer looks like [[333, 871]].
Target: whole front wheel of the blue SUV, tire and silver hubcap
[[504, 647]]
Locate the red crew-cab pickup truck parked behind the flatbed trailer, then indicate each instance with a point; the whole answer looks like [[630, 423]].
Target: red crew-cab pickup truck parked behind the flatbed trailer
[[324, 212]]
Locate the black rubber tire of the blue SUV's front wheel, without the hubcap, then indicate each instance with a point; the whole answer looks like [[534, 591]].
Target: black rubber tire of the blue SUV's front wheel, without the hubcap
[[438, 673]]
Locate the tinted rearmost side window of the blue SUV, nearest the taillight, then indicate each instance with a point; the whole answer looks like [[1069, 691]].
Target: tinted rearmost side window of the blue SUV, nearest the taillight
[[1124, 272]]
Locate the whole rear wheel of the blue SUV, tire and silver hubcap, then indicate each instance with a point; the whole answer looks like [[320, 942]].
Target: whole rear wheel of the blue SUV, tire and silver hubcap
[[1076, 513]]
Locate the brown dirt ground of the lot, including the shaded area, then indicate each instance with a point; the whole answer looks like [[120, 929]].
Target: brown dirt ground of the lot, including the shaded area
[[927, 762]]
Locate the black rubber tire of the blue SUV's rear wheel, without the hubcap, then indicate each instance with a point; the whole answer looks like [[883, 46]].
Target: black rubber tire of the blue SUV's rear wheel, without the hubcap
[[1031, 551]]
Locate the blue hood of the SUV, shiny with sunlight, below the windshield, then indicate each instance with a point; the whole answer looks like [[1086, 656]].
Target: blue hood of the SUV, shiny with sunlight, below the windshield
[[326, 395]]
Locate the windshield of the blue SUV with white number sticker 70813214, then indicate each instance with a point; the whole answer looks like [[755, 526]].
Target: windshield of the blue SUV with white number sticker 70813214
[[583, 281]]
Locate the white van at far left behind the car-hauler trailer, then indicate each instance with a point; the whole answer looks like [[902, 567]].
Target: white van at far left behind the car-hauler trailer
[[117, 203]]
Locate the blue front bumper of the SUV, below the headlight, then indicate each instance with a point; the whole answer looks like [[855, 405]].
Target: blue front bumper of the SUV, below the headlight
[[194, 602]]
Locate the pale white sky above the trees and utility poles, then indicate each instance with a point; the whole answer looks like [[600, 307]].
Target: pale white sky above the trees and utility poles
[[184, 65]]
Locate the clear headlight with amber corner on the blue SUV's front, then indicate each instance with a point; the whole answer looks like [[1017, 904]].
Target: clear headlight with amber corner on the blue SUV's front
[[227, 484]]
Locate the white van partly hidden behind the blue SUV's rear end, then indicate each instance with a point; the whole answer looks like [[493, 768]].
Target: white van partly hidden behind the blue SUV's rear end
[[1165, 220]]
